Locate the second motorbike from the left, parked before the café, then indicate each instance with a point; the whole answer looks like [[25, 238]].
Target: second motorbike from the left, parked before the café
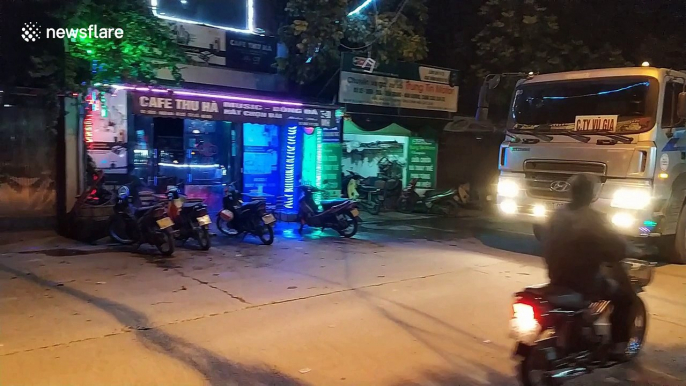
[[191, 219]]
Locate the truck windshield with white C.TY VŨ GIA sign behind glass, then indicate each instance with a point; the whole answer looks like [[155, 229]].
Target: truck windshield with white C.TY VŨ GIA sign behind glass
[[619, 104]]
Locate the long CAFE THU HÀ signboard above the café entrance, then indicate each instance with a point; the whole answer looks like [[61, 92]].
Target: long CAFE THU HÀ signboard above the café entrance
[[219, 109]]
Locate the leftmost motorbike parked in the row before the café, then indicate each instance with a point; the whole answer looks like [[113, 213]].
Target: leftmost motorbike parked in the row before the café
[[137, 225]]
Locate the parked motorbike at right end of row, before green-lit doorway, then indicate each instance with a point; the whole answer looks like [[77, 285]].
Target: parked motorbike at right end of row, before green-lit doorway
[[340, 215]]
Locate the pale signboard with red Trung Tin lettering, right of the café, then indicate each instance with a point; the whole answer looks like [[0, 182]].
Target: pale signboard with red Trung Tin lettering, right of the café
[[399, 85]]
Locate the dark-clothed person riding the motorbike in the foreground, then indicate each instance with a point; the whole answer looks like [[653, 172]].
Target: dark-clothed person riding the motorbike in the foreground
[[577, 243]]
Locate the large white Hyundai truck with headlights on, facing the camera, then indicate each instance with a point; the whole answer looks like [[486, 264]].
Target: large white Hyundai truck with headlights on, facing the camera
[[626, 126]]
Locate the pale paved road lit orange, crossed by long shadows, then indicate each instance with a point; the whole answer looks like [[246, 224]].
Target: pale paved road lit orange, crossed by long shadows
[[423, 302]]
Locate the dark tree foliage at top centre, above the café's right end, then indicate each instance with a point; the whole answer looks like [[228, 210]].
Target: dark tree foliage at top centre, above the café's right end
[[318, 31]]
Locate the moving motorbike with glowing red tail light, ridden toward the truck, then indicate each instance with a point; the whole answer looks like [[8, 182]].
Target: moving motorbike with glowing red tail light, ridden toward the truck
[[560, 335]]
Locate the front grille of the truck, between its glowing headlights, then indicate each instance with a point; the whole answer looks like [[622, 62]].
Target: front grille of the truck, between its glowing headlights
[[541, 175]]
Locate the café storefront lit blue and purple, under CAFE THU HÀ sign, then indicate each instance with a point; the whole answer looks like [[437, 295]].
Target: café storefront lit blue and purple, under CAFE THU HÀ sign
[[206, 140]]
